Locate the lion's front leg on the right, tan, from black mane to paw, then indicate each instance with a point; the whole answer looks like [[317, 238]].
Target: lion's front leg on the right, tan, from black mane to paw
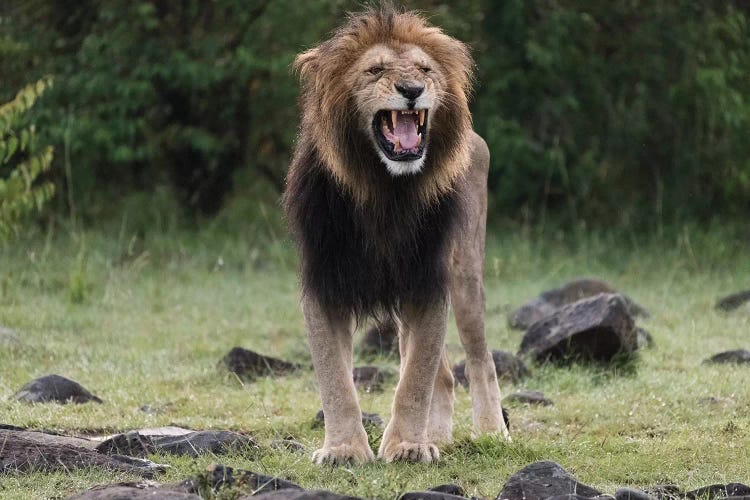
[[407, 436]]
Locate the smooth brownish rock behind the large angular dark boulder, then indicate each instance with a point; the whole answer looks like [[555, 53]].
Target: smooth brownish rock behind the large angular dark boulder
[[550, 301]]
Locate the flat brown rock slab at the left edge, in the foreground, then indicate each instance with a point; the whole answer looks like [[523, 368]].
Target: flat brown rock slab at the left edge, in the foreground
[[36, 451]]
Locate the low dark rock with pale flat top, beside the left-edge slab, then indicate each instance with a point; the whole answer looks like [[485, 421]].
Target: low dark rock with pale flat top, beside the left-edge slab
[[193, 444]]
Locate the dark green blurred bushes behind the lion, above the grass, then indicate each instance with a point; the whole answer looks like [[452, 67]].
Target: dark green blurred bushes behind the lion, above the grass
[[624, 113]]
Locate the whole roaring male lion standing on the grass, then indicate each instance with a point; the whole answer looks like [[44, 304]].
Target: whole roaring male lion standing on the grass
[[387, 198]]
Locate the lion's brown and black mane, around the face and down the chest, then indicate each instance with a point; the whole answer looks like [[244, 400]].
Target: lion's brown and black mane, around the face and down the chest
[[370, 241]]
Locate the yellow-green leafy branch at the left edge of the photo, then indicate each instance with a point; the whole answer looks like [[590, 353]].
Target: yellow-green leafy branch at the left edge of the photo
[[20, 165]]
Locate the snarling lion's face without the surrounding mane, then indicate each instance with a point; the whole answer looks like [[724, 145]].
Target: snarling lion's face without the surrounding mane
[[395, 92]]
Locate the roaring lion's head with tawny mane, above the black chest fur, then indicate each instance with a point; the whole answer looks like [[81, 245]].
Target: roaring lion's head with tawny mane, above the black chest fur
[[389, 92]]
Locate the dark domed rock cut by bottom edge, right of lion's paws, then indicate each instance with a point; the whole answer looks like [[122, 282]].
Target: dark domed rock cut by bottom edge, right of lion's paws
[[542, 480]]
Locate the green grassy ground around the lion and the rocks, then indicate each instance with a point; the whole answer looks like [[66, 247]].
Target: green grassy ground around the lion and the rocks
[[145, 320]]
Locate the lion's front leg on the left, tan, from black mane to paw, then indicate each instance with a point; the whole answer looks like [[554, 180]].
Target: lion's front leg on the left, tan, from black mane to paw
[[330, 339]]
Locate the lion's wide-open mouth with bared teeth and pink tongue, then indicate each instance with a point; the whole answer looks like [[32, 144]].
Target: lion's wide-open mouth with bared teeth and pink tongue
[[401, 133]]
